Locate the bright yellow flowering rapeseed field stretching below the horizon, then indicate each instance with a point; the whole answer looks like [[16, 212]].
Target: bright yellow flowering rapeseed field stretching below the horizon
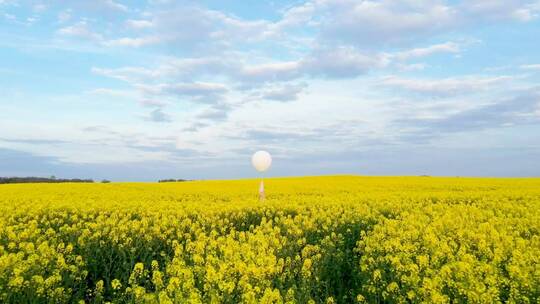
[[337, 239]]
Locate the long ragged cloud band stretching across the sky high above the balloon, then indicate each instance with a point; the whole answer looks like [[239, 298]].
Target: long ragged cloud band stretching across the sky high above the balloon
[[339, 62]]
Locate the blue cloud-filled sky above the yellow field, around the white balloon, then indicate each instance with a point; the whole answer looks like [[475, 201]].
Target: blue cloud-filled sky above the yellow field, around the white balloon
[[141, 90]]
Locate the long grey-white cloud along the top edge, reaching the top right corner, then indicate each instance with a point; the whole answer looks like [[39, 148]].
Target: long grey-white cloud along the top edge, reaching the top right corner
[[371, 24]]
